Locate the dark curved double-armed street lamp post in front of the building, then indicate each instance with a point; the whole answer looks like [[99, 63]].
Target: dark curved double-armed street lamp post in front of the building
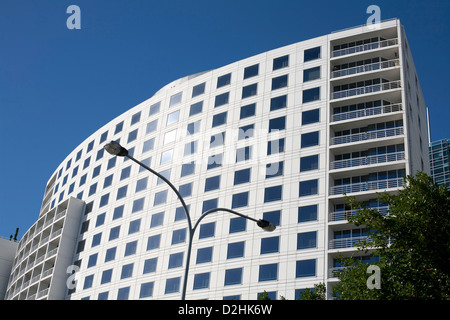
[[116, 149]]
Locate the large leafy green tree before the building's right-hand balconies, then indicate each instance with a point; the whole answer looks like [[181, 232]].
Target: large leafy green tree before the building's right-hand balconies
[[412, 241]]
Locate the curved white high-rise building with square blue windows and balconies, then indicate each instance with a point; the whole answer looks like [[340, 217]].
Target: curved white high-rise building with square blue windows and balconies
[[278, 136]]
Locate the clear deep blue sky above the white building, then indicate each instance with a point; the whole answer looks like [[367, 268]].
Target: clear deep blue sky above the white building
[[58, 86]]
